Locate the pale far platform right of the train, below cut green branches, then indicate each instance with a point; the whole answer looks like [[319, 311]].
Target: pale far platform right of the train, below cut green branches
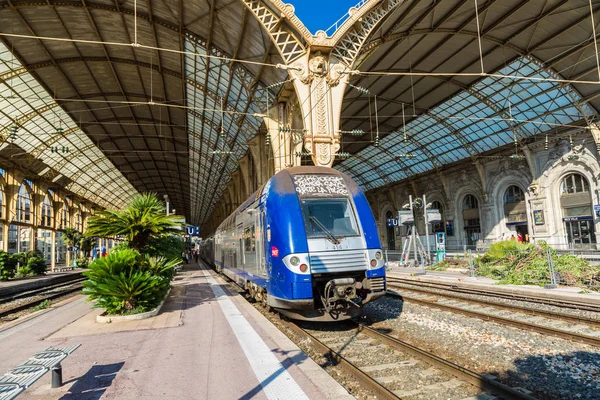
[[458, 279]]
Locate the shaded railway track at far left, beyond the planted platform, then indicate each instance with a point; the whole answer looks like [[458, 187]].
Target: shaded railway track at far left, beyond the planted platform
[[32, 298]]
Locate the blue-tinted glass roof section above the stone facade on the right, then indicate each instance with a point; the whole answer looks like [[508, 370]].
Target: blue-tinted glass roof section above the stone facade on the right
[[494, 112]]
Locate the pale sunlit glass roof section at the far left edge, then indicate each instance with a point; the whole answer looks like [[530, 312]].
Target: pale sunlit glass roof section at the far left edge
[[43, 129]]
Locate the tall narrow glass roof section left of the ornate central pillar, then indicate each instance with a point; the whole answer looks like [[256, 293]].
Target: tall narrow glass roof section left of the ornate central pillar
[[223, 117]]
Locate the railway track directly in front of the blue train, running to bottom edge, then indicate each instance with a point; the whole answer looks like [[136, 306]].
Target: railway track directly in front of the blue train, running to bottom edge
[[402, 371]]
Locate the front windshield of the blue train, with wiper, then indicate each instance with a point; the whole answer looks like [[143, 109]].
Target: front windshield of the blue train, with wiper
[[326, 218]]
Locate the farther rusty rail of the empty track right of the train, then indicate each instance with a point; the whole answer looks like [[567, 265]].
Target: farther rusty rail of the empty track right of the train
[[522, 309]]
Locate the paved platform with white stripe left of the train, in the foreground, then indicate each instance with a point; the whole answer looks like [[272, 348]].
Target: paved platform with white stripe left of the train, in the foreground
[[206, 343]]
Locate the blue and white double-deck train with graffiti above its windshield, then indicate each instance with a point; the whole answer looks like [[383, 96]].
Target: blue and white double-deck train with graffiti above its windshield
[[306, 244]]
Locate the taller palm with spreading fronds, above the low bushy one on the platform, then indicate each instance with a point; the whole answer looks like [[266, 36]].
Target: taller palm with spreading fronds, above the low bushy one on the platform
[[144, 218]]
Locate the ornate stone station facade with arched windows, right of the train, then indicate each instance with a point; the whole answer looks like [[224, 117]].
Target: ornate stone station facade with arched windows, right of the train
[[545, 191]]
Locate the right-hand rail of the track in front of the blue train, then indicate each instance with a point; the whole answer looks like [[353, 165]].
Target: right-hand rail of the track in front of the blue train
[[483, 382]]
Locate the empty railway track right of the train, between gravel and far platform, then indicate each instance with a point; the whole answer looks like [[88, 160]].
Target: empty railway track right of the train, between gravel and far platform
[[577, 328]]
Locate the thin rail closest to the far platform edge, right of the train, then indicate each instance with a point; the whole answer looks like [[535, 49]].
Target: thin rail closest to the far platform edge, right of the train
[[491, 293]]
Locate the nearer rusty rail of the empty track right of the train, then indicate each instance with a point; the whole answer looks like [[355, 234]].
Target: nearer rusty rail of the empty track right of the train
[[579, 337]]
